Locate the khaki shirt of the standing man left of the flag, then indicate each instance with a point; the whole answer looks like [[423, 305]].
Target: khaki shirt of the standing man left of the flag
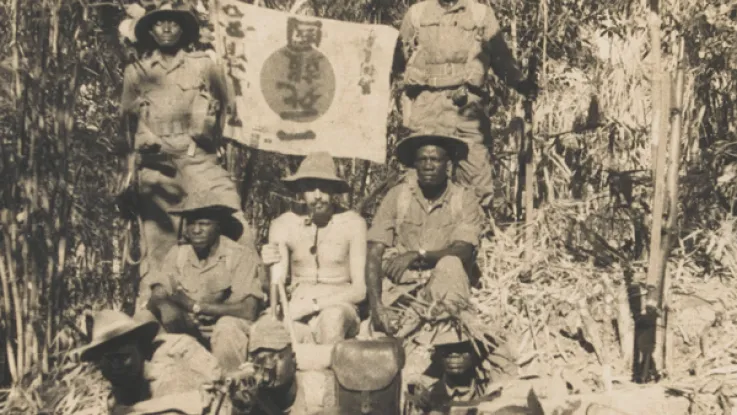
[[162, 93]]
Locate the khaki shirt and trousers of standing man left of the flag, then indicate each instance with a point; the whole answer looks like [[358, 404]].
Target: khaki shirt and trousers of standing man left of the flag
[[175, 104]]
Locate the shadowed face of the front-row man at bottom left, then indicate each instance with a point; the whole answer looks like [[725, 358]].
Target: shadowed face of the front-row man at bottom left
[[122, 364]]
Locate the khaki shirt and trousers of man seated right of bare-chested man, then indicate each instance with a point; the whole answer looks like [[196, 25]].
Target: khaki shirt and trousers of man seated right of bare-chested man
[[431, 226]]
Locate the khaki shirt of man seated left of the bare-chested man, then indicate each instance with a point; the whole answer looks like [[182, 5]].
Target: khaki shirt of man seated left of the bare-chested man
[[229, 275]]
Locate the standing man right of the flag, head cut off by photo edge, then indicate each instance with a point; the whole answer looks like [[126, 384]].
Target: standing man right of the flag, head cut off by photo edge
[[449, 46]]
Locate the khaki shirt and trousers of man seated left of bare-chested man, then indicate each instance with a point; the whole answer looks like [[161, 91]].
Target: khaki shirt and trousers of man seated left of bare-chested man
[[229, 275]]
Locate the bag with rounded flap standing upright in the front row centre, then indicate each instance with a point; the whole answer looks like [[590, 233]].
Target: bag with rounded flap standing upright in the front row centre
[[368, 376]]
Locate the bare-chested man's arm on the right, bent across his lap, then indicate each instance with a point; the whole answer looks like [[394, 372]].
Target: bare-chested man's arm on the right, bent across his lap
[[357, 263]]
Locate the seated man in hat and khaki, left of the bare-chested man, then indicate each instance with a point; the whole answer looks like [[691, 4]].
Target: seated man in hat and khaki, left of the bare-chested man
[[209, 287]]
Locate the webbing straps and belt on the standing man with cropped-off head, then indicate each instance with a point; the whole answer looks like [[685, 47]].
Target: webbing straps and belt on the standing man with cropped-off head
[[444, 75]]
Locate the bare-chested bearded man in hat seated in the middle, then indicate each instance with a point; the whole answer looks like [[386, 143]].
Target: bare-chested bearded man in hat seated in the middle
[[324, 250]]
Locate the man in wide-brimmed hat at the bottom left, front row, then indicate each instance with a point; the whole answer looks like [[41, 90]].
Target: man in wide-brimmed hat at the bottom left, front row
[[144, 368]]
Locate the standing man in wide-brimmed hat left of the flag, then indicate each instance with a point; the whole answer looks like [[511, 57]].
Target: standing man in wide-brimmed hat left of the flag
[[173, 102]]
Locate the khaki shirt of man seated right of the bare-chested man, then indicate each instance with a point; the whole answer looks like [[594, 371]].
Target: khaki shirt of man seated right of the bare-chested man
[[428, 225]]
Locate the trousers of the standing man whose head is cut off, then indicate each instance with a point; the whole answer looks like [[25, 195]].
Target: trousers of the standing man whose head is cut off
[[434, 110]]
